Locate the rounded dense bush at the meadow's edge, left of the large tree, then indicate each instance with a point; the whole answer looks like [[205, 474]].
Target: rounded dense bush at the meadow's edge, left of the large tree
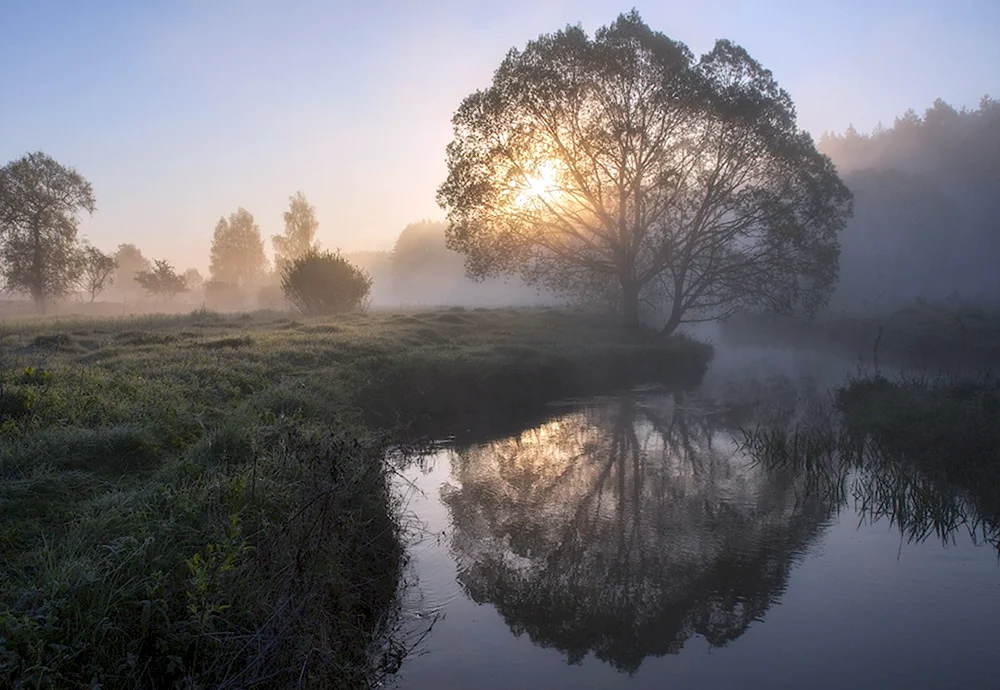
[[325, 283]]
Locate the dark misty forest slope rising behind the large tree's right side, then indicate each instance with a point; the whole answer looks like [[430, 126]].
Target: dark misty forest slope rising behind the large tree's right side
[[925, 209]]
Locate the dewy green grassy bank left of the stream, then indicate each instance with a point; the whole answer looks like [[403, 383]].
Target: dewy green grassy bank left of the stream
[[201, 501]]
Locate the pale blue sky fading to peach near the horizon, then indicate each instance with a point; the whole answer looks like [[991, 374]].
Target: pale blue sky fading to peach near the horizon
[[181, 111]]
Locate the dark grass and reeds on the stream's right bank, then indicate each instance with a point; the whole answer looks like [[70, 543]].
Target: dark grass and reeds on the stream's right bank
[[922, 453]]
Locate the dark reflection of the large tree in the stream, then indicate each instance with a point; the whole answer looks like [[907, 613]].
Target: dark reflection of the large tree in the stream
[[626, 527]]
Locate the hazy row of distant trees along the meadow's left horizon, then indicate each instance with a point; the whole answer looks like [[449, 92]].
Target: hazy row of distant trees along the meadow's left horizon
[[43, 256]]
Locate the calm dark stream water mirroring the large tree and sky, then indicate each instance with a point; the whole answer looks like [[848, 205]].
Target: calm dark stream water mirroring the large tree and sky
[[628, 542]]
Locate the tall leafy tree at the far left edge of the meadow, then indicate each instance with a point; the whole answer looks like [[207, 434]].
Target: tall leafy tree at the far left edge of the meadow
[[40, 205]]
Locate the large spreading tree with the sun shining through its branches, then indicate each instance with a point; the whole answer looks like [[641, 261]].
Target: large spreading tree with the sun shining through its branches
[[620, 165]]
